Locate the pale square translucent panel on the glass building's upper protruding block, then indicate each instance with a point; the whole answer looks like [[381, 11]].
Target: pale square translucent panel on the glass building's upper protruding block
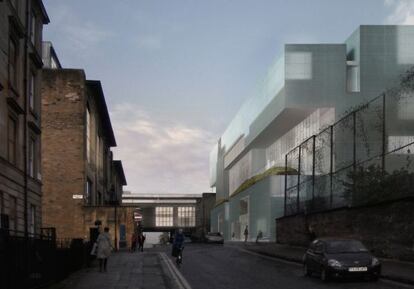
[[299, 65]]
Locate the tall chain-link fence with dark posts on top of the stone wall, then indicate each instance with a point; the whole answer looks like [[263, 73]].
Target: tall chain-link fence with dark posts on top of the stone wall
[[364, 158]]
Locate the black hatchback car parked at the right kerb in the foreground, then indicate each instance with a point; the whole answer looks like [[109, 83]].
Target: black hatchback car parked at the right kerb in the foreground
[[332, 258]]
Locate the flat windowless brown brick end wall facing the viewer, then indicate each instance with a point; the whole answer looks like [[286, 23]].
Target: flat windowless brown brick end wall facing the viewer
[[63, 150]]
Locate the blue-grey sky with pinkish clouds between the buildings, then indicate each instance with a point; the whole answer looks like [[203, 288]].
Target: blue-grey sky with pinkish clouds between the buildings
[[175, 73]]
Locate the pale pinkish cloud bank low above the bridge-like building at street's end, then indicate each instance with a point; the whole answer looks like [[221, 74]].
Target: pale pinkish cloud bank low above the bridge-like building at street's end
[[161, 155]]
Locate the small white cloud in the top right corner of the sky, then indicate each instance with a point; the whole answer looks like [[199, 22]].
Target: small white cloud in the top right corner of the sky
[[402, 12]]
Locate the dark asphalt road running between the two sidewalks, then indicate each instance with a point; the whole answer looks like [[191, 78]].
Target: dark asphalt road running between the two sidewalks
[[222, 267]]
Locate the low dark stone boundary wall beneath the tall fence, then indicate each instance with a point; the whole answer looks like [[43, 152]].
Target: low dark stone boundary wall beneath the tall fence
[[387, 229]]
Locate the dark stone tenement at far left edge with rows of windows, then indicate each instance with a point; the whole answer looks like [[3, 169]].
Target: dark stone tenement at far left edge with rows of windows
[[21, 26]]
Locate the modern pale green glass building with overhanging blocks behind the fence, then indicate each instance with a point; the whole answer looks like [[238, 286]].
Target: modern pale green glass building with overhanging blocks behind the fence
[[308, 88]]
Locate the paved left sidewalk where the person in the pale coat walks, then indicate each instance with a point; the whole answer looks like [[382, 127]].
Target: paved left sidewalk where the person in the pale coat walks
[[125, 270]]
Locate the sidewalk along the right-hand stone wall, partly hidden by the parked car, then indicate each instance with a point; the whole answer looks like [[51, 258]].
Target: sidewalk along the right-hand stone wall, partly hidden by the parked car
[[391, 269]]
